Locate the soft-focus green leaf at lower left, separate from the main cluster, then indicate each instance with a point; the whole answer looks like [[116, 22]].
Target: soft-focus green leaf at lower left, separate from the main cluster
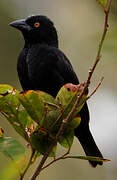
[[11, 148]]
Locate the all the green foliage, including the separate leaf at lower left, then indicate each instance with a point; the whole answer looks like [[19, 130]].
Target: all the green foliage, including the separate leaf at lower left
[[37, 117]]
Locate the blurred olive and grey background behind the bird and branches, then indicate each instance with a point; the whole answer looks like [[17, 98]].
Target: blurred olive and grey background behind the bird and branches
[[79, 24]]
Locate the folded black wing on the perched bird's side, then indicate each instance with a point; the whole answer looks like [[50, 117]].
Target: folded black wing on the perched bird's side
[[49, 69]]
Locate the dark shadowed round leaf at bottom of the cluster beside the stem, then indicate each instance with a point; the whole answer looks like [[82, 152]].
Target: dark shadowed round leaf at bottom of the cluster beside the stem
[[41, 142]]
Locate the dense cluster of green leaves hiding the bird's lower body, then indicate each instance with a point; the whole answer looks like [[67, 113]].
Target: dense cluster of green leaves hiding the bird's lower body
[[37, 116]]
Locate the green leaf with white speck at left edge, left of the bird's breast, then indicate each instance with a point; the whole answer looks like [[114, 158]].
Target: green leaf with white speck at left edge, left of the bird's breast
[[9, 105]]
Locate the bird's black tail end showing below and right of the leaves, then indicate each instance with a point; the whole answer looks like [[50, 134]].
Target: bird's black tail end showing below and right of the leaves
[[82, 132]]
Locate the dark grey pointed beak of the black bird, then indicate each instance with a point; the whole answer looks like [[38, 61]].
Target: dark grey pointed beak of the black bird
[[20, 24]]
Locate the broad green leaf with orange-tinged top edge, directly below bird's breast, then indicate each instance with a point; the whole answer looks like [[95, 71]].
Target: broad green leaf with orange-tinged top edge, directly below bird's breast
[[41, 106]]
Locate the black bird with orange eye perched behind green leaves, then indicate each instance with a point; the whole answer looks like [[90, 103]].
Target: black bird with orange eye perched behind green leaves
[[43, 66]]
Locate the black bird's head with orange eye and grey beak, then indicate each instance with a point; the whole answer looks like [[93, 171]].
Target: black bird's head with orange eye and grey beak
[[37, 29]]
